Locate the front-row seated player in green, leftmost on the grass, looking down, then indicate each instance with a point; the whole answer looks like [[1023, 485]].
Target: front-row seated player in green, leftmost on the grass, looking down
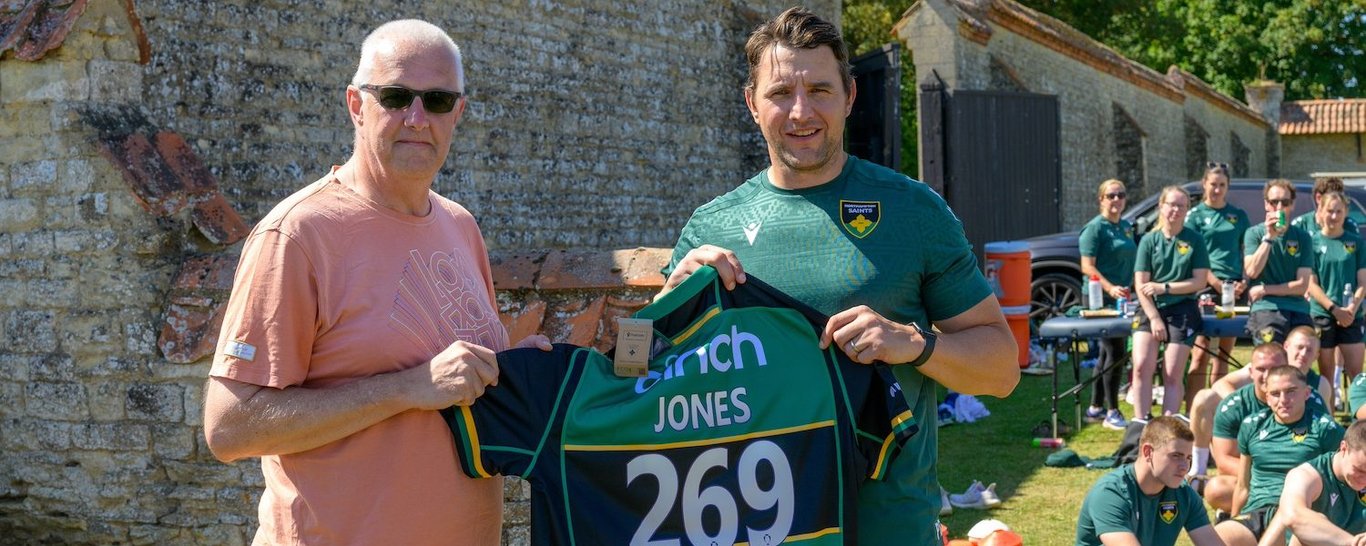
[[1148, 503]]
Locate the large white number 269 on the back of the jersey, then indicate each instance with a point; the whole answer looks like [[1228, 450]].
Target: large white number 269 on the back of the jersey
[[696, 500]]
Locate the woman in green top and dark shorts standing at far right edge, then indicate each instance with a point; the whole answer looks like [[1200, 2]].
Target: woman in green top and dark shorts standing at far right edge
[[1335, 290]]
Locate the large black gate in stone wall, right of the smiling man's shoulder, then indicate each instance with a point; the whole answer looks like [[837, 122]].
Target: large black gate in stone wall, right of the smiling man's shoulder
[[1003, 171]]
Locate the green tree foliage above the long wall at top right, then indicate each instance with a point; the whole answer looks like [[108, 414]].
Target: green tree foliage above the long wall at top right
[[1313, 47]]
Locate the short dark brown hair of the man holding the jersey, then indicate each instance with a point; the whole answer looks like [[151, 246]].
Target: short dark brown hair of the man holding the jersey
[[798, 29]]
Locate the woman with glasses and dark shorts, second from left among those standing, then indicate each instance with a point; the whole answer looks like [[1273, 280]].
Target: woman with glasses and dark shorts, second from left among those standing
[[1173, 265]]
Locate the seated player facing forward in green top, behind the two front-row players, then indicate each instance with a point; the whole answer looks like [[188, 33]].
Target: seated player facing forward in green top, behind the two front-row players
[[1271, 443]]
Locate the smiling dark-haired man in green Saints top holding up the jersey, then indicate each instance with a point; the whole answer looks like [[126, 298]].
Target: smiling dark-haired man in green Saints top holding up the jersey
[[878, 252]]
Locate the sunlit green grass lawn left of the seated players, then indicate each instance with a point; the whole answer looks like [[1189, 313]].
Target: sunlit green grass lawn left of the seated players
[[1040, 503]]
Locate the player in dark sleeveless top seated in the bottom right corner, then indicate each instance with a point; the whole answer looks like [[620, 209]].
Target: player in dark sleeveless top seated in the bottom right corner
[[1323, 502]]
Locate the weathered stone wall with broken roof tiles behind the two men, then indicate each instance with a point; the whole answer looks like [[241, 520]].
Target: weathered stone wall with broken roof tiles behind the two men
[[141, 140]]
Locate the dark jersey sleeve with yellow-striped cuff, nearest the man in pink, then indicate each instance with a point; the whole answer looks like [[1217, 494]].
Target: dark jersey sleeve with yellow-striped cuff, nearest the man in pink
[[505, 431]]
